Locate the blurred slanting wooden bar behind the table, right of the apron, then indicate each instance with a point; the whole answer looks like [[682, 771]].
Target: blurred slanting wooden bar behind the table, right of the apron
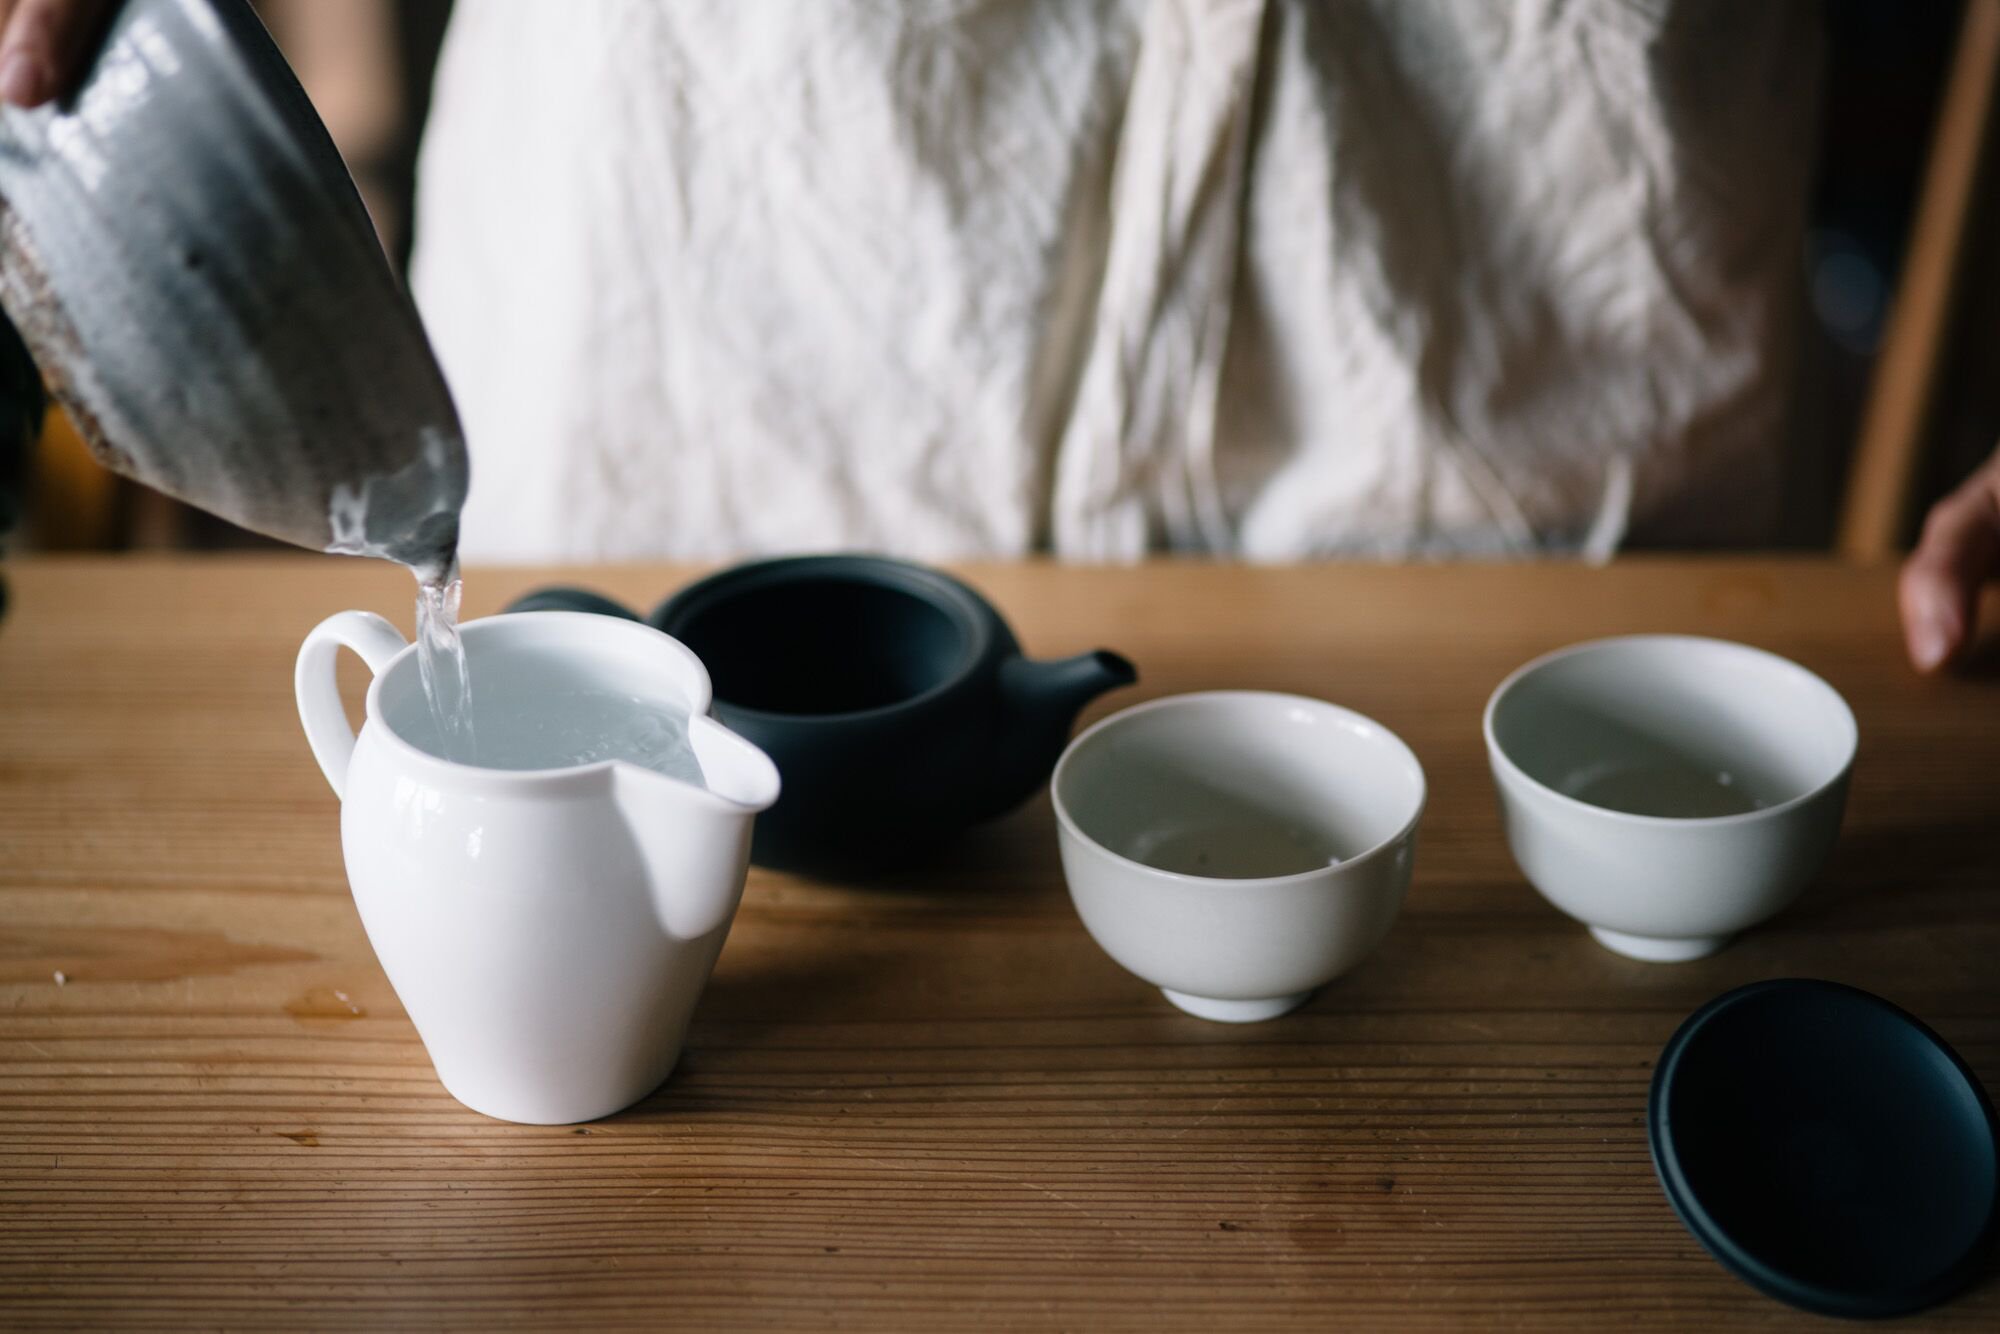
[[1897, 421]]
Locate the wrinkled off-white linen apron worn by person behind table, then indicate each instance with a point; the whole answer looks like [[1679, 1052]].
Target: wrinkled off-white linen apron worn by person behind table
[[1269, 279]]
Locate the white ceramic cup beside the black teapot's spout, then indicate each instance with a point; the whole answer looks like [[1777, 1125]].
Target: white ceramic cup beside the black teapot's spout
[[1239, 849]]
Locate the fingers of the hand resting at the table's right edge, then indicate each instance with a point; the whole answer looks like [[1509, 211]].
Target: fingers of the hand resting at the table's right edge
[[1953, 561]]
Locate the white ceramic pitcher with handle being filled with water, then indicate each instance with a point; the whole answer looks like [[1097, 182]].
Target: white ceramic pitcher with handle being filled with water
[[547, 931]]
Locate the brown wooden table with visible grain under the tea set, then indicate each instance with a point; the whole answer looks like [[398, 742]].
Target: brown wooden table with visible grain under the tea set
[[929, 1101]]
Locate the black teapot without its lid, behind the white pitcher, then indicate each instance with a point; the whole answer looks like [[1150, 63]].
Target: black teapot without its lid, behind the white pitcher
[[893, 699]]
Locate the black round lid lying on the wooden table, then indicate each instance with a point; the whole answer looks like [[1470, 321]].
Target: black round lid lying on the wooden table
[[1827, 1147]]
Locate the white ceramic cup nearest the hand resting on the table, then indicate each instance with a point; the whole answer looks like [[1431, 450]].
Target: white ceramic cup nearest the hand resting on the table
[[1669, 791]]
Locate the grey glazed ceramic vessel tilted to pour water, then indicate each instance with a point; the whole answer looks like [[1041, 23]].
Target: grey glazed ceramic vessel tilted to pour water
[[195, 273]]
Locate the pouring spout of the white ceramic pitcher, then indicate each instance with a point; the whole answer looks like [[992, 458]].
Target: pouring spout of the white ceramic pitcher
[[695, 841]]
